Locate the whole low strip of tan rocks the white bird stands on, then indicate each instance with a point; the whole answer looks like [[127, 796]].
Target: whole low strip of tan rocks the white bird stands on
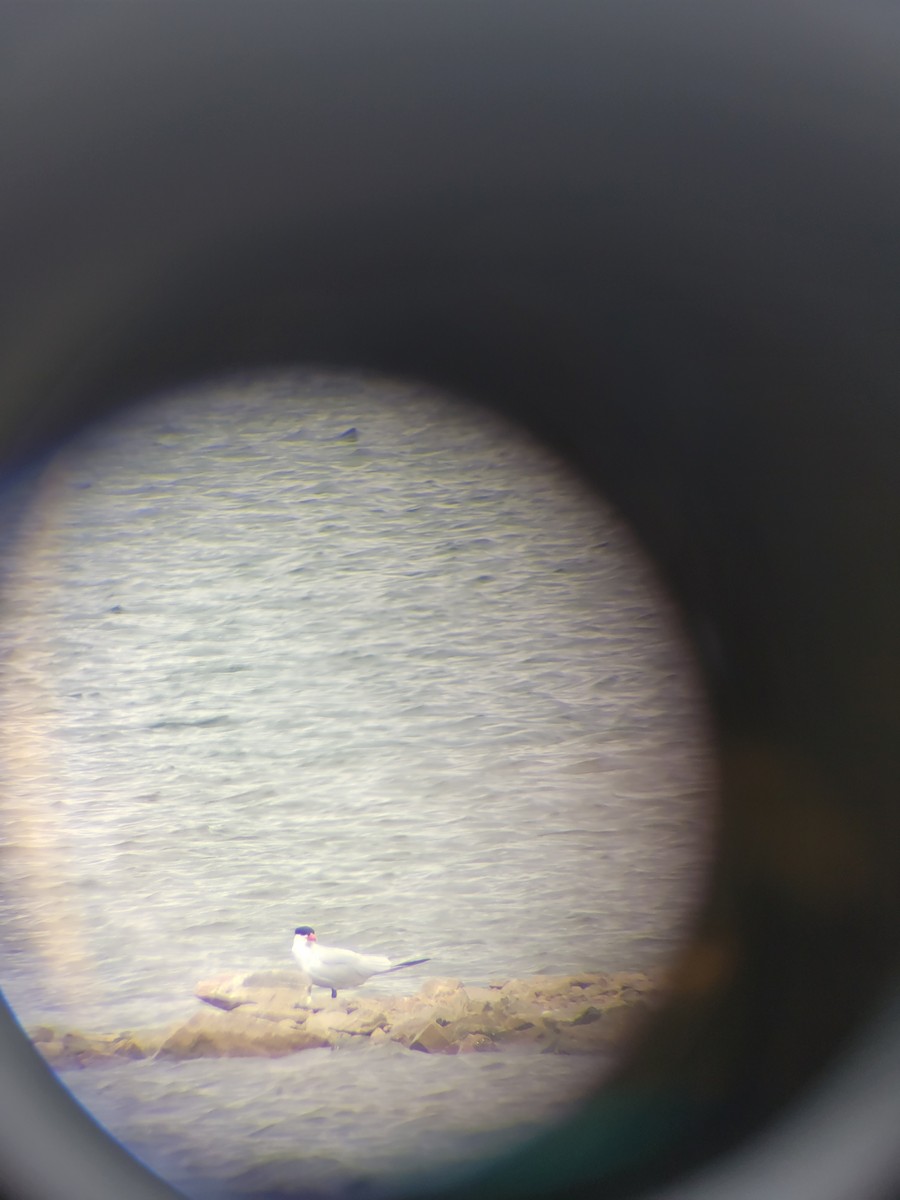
[[272, 1013]]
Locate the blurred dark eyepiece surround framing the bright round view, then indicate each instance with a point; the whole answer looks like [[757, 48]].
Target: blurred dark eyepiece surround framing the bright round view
[[662, 235]]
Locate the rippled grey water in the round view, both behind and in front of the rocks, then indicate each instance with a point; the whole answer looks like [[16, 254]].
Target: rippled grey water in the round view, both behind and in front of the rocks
[[417, 688]]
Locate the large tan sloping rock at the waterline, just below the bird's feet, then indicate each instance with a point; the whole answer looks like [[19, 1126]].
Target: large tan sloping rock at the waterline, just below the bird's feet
[[206, 1036]]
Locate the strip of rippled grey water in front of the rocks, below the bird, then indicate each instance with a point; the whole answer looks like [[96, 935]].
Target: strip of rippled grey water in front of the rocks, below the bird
[[365, 1123]]
